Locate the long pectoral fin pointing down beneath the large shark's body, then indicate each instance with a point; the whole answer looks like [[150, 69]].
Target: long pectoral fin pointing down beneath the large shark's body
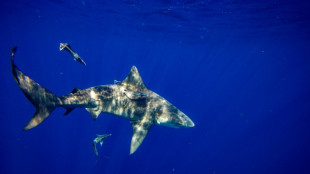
[[140, 130]]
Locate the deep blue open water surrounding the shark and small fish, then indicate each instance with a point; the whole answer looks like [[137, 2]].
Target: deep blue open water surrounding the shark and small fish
[[240, 70]]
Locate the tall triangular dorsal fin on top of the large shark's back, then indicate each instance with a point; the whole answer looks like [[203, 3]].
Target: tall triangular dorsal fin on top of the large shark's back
[[133, 78]]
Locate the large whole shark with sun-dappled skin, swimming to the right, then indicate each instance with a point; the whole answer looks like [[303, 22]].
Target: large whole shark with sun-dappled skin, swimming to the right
[[129, 99]]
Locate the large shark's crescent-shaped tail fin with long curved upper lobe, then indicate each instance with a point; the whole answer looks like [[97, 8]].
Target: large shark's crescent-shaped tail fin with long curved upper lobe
[[43, 100]]
